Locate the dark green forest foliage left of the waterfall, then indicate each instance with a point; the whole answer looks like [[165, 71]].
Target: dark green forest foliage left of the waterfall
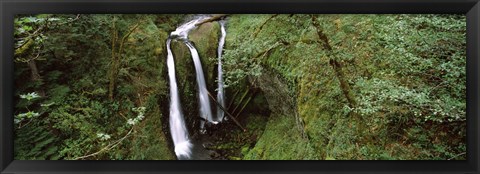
[[74, 56]]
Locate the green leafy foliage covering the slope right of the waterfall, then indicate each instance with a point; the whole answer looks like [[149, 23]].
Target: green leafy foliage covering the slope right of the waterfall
[[407, 72]]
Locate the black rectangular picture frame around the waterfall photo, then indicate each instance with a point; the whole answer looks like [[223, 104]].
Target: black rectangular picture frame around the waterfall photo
[[9, 8]]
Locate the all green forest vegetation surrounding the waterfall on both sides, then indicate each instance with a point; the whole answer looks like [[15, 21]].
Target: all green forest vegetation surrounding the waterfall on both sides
[[297, 86]]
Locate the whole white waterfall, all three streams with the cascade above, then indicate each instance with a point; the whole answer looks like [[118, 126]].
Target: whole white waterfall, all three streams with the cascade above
[[177, 124]]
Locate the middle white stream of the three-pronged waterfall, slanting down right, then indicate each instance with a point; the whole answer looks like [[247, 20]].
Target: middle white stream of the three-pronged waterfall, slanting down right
[[205, 110]]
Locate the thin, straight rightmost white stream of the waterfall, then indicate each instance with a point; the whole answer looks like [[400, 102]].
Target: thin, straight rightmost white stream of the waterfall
[[220, 94]]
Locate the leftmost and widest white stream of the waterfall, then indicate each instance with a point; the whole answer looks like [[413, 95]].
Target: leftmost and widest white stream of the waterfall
[[177, 123]]
